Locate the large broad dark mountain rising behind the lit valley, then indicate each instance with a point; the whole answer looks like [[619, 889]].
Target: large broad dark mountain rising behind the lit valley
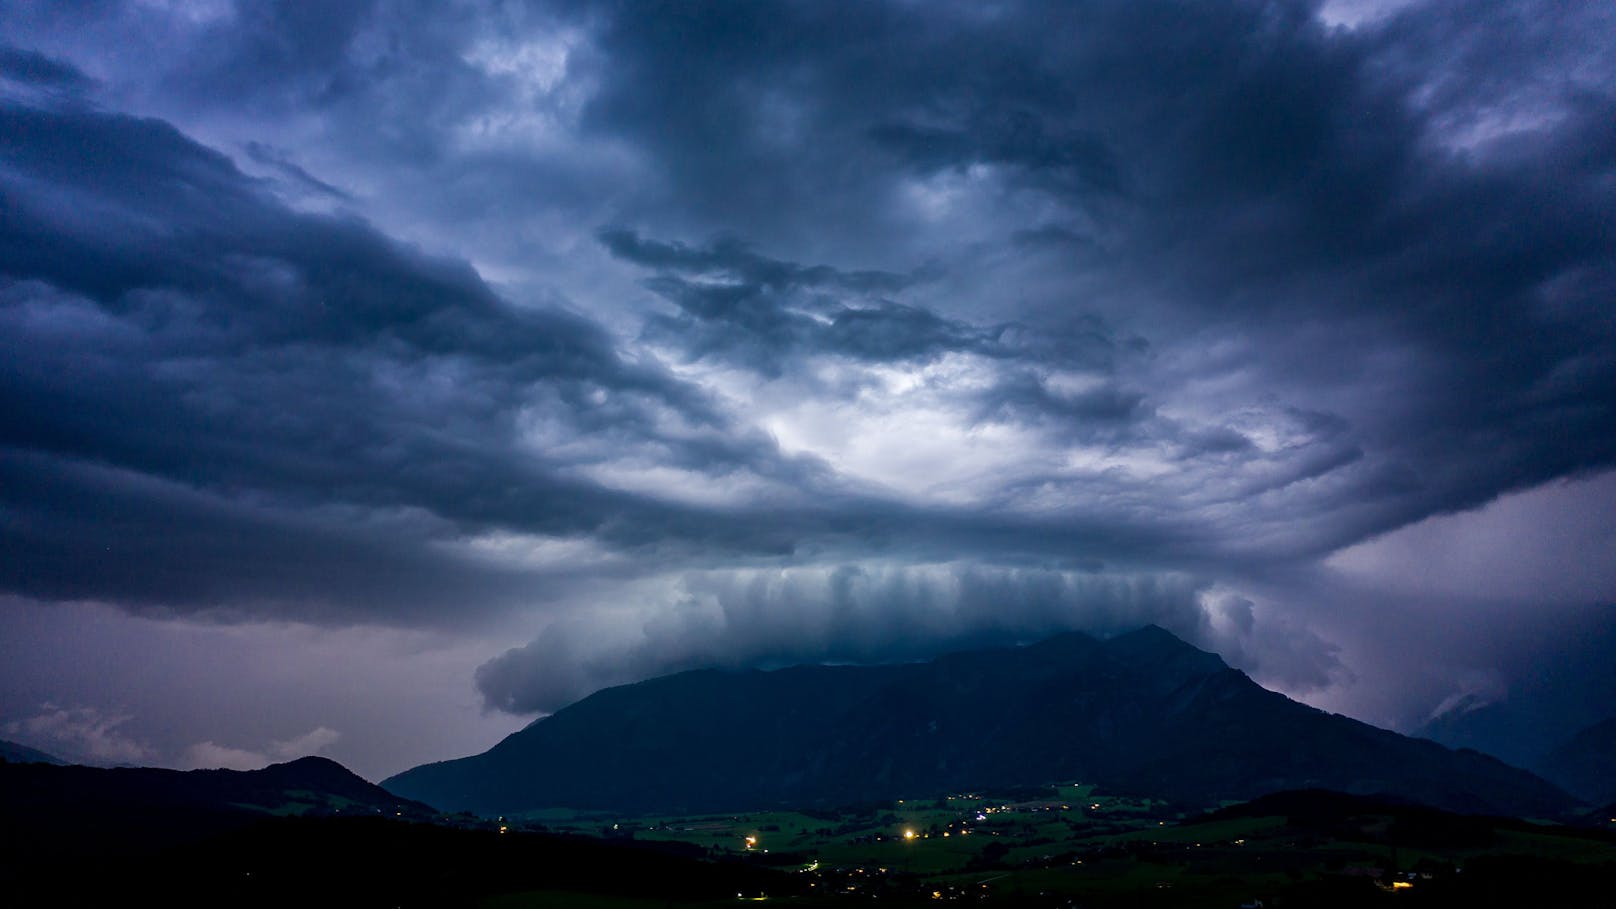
[[1143, 714]]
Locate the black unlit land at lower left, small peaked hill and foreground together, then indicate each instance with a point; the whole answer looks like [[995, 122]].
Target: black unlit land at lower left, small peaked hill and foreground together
[[306, 834]]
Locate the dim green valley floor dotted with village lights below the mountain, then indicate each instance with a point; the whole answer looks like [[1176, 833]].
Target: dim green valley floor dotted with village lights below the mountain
[[1074, 845]]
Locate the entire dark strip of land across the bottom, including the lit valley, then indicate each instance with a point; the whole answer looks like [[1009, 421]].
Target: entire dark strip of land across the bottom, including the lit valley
[[1069, 845]]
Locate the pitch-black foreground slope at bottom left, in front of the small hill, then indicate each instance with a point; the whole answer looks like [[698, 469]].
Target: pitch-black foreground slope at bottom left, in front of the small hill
[[379, 863]]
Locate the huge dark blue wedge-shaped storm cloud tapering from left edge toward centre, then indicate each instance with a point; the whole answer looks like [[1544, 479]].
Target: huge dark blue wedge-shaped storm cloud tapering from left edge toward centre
[[169, 323]]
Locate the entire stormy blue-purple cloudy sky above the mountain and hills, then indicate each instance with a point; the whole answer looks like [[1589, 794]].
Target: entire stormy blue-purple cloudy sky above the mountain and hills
[[377, 378]]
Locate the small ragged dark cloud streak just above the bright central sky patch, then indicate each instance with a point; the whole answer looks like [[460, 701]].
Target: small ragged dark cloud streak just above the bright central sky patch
[[772, 316]]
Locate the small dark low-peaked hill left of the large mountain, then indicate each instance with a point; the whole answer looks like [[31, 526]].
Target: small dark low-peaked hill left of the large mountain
[[91, 811]]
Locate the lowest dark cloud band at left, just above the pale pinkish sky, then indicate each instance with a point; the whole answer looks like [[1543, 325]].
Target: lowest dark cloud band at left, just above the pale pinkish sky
[[78, 531]]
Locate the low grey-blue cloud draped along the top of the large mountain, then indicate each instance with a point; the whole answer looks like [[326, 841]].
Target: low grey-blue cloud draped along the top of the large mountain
[[873, 612]]
